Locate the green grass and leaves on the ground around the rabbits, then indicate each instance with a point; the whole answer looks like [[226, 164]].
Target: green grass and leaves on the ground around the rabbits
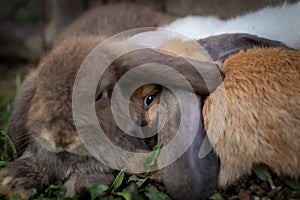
[[141, 187]]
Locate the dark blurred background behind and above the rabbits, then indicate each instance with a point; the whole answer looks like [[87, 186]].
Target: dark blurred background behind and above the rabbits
[[29, 27]]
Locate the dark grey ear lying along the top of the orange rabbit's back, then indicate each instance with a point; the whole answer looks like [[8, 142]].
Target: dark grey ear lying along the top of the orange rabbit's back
[[221, 46]]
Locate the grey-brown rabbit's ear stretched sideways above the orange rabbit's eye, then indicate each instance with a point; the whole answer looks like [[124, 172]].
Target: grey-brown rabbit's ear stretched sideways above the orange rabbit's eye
[[204, 77]]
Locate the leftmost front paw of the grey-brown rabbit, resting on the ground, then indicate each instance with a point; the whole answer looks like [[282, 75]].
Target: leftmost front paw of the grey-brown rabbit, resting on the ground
[[14, 186]]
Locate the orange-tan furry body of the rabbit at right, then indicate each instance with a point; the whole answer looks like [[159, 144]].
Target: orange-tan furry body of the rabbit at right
[[258, 121]]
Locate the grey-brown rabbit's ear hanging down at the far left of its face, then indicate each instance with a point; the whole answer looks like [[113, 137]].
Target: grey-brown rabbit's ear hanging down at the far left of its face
[[17, 122]]
